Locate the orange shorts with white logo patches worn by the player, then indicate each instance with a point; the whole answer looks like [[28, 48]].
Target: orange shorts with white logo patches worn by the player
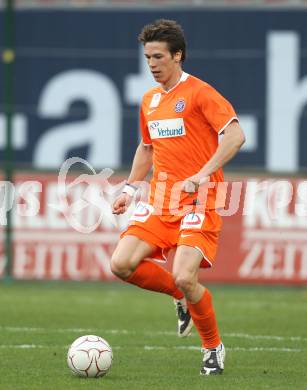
[[199, 230]]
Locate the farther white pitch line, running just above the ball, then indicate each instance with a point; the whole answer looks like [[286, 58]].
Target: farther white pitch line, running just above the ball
[[147, 333]]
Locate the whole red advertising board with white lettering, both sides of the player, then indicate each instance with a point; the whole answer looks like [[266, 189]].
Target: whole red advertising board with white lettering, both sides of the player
[[264, 236]]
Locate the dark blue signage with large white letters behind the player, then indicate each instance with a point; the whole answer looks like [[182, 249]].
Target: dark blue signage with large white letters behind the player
[[80, 76]]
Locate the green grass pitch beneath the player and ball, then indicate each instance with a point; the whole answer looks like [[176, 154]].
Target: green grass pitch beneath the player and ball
[[264, 330]]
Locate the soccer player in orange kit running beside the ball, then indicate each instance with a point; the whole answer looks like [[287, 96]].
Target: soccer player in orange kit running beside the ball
[[180, 120]]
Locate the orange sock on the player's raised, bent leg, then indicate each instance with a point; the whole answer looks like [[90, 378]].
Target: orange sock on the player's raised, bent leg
[[151, 276]]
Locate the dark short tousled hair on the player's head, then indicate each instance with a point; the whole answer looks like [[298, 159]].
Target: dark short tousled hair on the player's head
[[164, 30]]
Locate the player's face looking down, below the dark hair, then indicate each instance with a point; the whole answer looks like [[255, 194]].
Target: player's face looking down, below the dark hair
[[164, 66]]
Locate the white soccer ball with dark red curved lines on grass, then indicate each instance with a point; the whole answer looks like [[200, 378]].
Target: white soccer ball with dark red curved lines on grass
[[90, 356]]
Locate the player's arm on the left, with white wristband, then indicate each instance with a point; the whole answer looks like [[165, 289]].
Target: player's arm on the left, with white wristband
[[141, 166]]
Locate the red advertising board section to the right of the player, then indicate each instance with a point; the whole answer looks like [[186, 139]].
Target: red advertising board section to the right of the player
[[265, 240]]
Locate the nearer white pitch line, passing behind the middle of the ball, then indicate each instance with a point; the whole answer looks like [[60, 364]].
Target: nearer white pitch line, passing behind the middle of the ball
[[155, 348]]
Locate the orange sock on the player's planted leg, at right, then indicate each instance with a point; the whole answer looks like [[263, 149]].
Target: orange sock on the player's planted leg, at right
[[204, 320]]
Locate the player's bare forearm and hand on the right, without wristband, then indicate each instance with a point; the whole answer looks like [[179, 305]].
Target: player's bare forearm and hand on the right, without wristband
[[229, 146]]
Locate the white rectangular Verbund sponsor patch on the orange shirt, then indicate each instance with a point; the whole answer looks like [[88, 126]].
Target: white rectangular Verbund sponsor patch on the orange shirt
[[166, 128]]
